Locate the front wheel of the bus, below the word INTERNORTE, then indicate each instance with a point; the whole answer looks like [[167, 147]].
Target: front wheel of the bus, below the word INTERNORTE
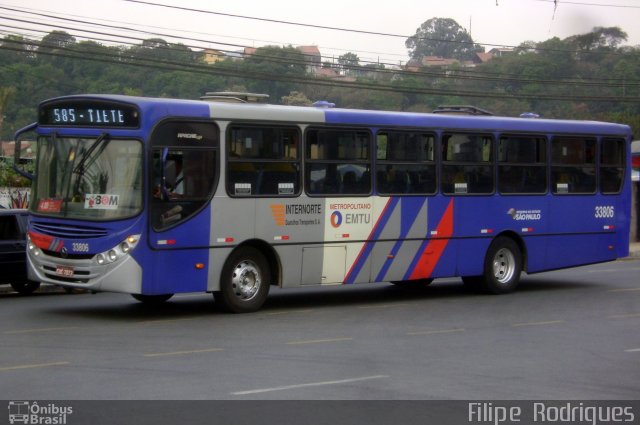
[[244, 282]]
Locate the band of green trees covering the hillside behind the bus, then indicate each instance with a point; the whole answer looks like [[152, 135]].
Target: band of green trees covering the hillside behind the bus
[[578, 68]]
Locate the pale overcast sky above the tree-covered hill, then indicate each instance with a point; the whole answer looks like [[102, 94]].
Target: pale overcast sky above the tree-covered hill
[[493, 23]]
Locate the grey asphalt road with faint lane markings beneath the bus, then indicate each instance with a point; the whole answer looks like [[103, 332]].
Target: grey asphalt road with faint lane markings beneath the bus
[[570, 334]]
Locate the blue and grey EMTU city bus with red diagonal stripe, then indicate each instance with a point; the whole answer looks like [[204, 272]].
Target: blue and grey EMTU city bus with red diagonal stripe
[[154, 197]]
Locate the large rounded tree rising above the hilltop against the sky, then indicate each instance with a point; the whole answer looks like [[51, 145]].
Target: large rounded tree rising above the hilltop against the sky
[[442, 37]]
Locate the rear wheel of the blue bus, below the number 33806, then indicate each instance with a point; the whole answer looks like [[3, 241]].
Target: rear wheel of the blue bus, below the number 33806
[[502, 267]]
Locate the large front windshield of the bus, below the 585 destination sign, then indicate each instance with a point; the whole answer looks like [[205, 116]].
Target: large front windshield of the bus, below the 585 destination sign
[[88, 178]]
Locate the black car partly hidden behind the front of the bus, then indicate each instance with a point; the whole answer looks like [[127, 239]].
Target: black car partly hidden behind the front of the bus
[[13, 251]]
